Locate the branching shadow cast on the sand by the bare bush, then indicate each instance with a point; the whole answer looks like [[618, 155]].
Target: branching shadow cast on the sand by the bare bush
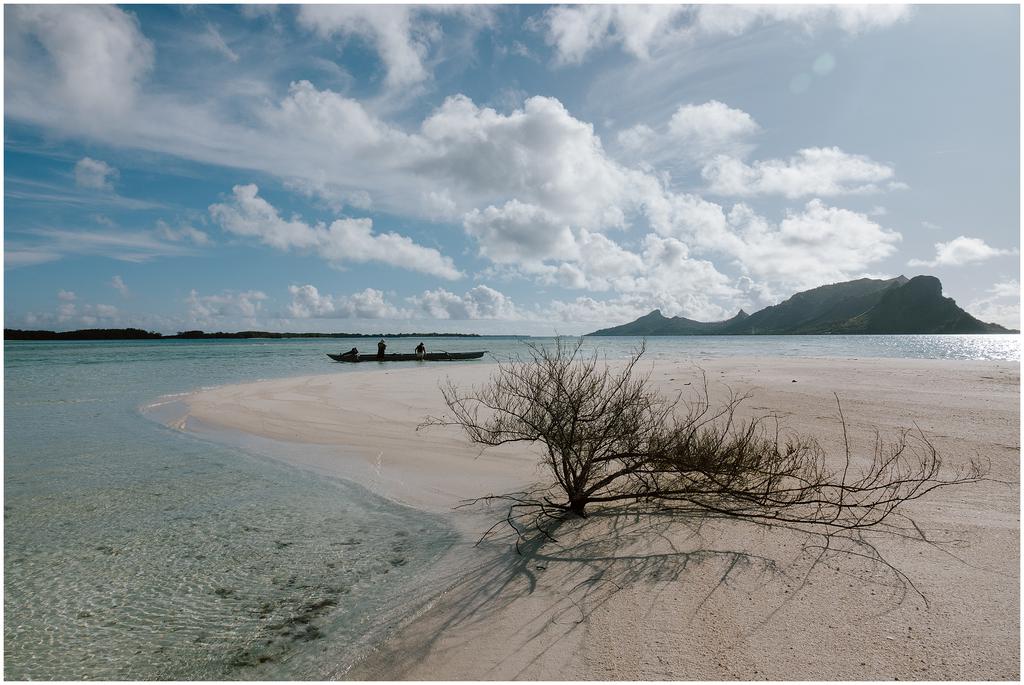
[[543, 587]]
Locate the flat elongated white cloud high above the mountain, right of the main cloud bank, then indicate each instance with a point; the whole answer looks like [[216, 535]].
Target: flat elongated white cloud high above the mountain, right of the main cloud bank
[[820, 172]]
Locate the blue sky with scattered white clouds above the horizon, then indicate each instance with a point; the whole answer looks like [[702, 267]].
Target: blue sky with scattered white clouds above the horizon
[[500, 169]]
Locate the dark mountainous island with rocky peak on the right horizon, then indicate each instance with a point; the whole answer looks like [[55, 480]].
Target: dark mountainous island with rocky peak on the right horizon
[[863, 307]]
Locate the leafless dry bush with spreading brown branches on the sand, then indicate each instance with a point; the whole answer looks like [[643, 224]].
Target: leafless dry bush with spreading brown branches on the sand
[[608, 437]]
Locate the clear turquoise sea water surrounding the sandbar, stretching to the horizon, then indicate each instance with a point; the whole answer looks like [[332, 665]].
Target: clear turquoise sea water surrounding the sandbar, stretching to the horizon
[[133, 551]]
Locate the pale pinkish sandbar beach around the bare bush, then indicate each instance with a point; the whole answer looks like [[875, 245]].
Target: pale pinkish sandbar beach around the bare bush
[[630, 596]]
